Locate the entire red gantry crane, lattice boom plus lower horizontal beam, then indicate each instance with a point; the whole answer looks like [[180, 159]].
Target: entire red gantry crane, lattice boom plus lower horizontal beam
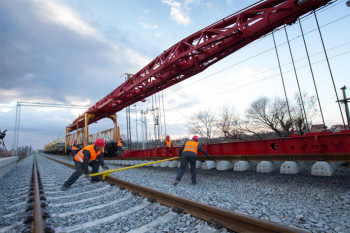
[[197, 52]]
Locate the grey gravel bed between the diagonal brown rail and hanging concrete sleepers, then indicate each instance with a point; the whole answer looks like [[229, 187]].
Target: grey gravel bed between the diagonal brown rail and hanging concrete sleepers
[[316, 204]]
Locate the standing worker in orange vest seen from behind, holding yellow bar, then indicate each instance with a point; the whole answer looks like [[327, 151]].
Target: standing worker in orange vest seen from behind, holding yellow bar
[[188, 154]]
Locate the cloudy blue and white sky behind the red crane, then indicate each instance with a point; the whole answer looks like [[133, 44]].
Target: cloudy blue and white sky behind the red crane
[[75, 52]]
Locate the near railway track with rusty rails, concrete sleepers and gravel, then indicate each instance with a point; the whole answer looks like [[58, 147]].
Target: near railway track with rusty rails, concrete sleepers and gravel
[[120, 206]]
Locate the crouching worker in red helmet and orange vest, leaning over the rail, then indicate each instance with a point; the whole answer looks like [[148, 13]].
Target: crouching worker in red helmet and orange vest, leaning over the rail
[[88, 156]]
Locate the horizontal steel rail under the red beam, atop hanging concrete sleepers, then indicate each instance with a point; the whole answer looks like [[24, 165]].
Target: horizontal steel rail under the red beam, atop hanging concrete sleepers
[[294, 157]]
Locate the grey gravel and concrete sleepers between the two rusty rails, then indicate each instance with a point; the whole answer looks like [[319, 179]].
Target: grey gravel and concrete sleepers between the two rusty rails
[[69, 209]]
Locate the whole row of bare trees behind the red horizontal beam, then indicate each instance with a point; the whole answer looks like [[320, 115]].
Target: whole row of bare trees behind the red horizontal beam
[[264, 118]]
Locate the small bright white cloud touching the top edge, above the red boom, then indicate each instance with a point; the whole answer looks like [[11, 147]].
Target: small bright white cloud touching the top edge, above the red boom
[[178, 13]]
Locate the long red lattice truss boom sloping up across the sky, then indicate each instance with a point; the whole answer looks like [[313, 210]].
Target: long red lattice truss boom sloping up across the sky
[[200, 50]]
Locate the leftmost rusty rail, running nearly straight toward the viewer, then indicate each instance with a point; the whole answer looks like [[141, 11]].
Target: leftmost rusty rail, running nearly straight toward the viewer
[[38, 223]]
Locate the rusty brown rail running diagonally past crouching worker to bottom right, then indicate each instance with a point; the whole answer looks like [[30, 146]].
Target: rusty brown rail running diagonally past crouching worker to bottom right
[[230, 220]]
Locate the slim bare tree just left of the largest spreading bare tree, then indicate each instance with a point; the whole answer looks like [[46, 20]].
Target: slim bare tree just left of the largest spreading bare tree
[[229, 123]]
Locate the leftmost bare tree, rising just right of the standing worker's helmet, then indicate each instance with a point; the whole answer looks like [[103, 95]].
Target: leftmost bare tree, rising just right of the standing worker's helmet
[[204, 124]]
